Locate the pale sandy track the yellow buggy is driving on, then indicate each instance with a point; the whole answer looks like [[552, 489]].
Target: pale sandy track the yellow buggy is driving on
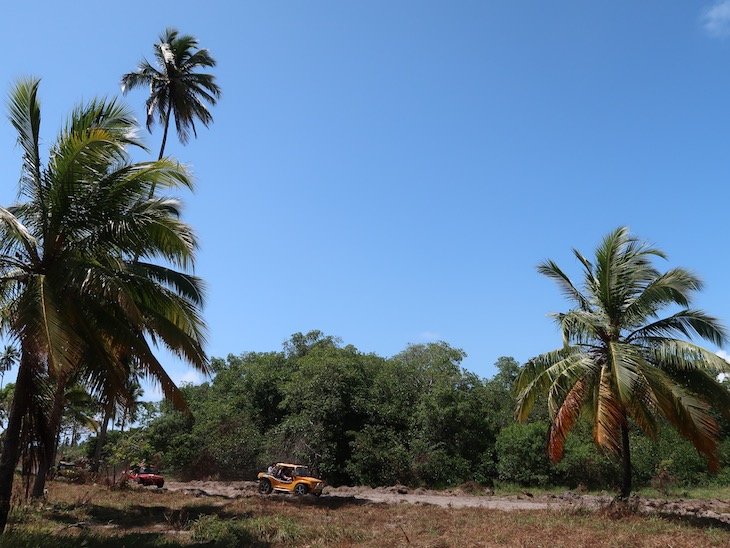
[[711, 511]]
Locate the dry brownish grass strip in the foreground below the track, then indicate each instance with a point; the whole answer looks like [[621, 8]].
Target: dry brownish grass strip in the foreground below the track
[[97, 516]]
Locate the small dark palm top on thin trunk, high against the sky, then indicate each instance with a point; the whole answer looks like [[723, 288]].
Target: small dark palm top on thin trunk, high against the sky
[[176, 88]]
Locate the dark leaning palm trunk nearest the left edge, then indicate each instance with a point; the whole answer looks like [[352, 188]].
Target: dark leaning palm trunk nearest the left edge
[[11, 444]]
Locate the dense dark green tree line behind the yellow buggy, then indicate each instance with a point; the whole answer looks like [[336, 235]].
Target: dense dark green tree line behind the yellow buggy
[[417, 418]]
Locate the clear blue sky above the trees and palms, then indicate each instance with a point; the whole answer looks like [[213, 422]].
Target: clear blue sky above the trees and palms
[[392, 172]]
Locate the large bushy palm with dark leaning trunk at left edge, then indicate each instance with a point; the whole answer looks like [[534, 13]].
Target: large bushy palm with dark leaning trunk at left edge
[[71, 294]]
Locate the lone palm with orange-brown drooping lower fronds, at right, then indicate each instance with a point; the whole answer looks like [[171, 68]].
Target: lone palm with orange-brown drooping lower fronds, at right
[[622, 360]]
